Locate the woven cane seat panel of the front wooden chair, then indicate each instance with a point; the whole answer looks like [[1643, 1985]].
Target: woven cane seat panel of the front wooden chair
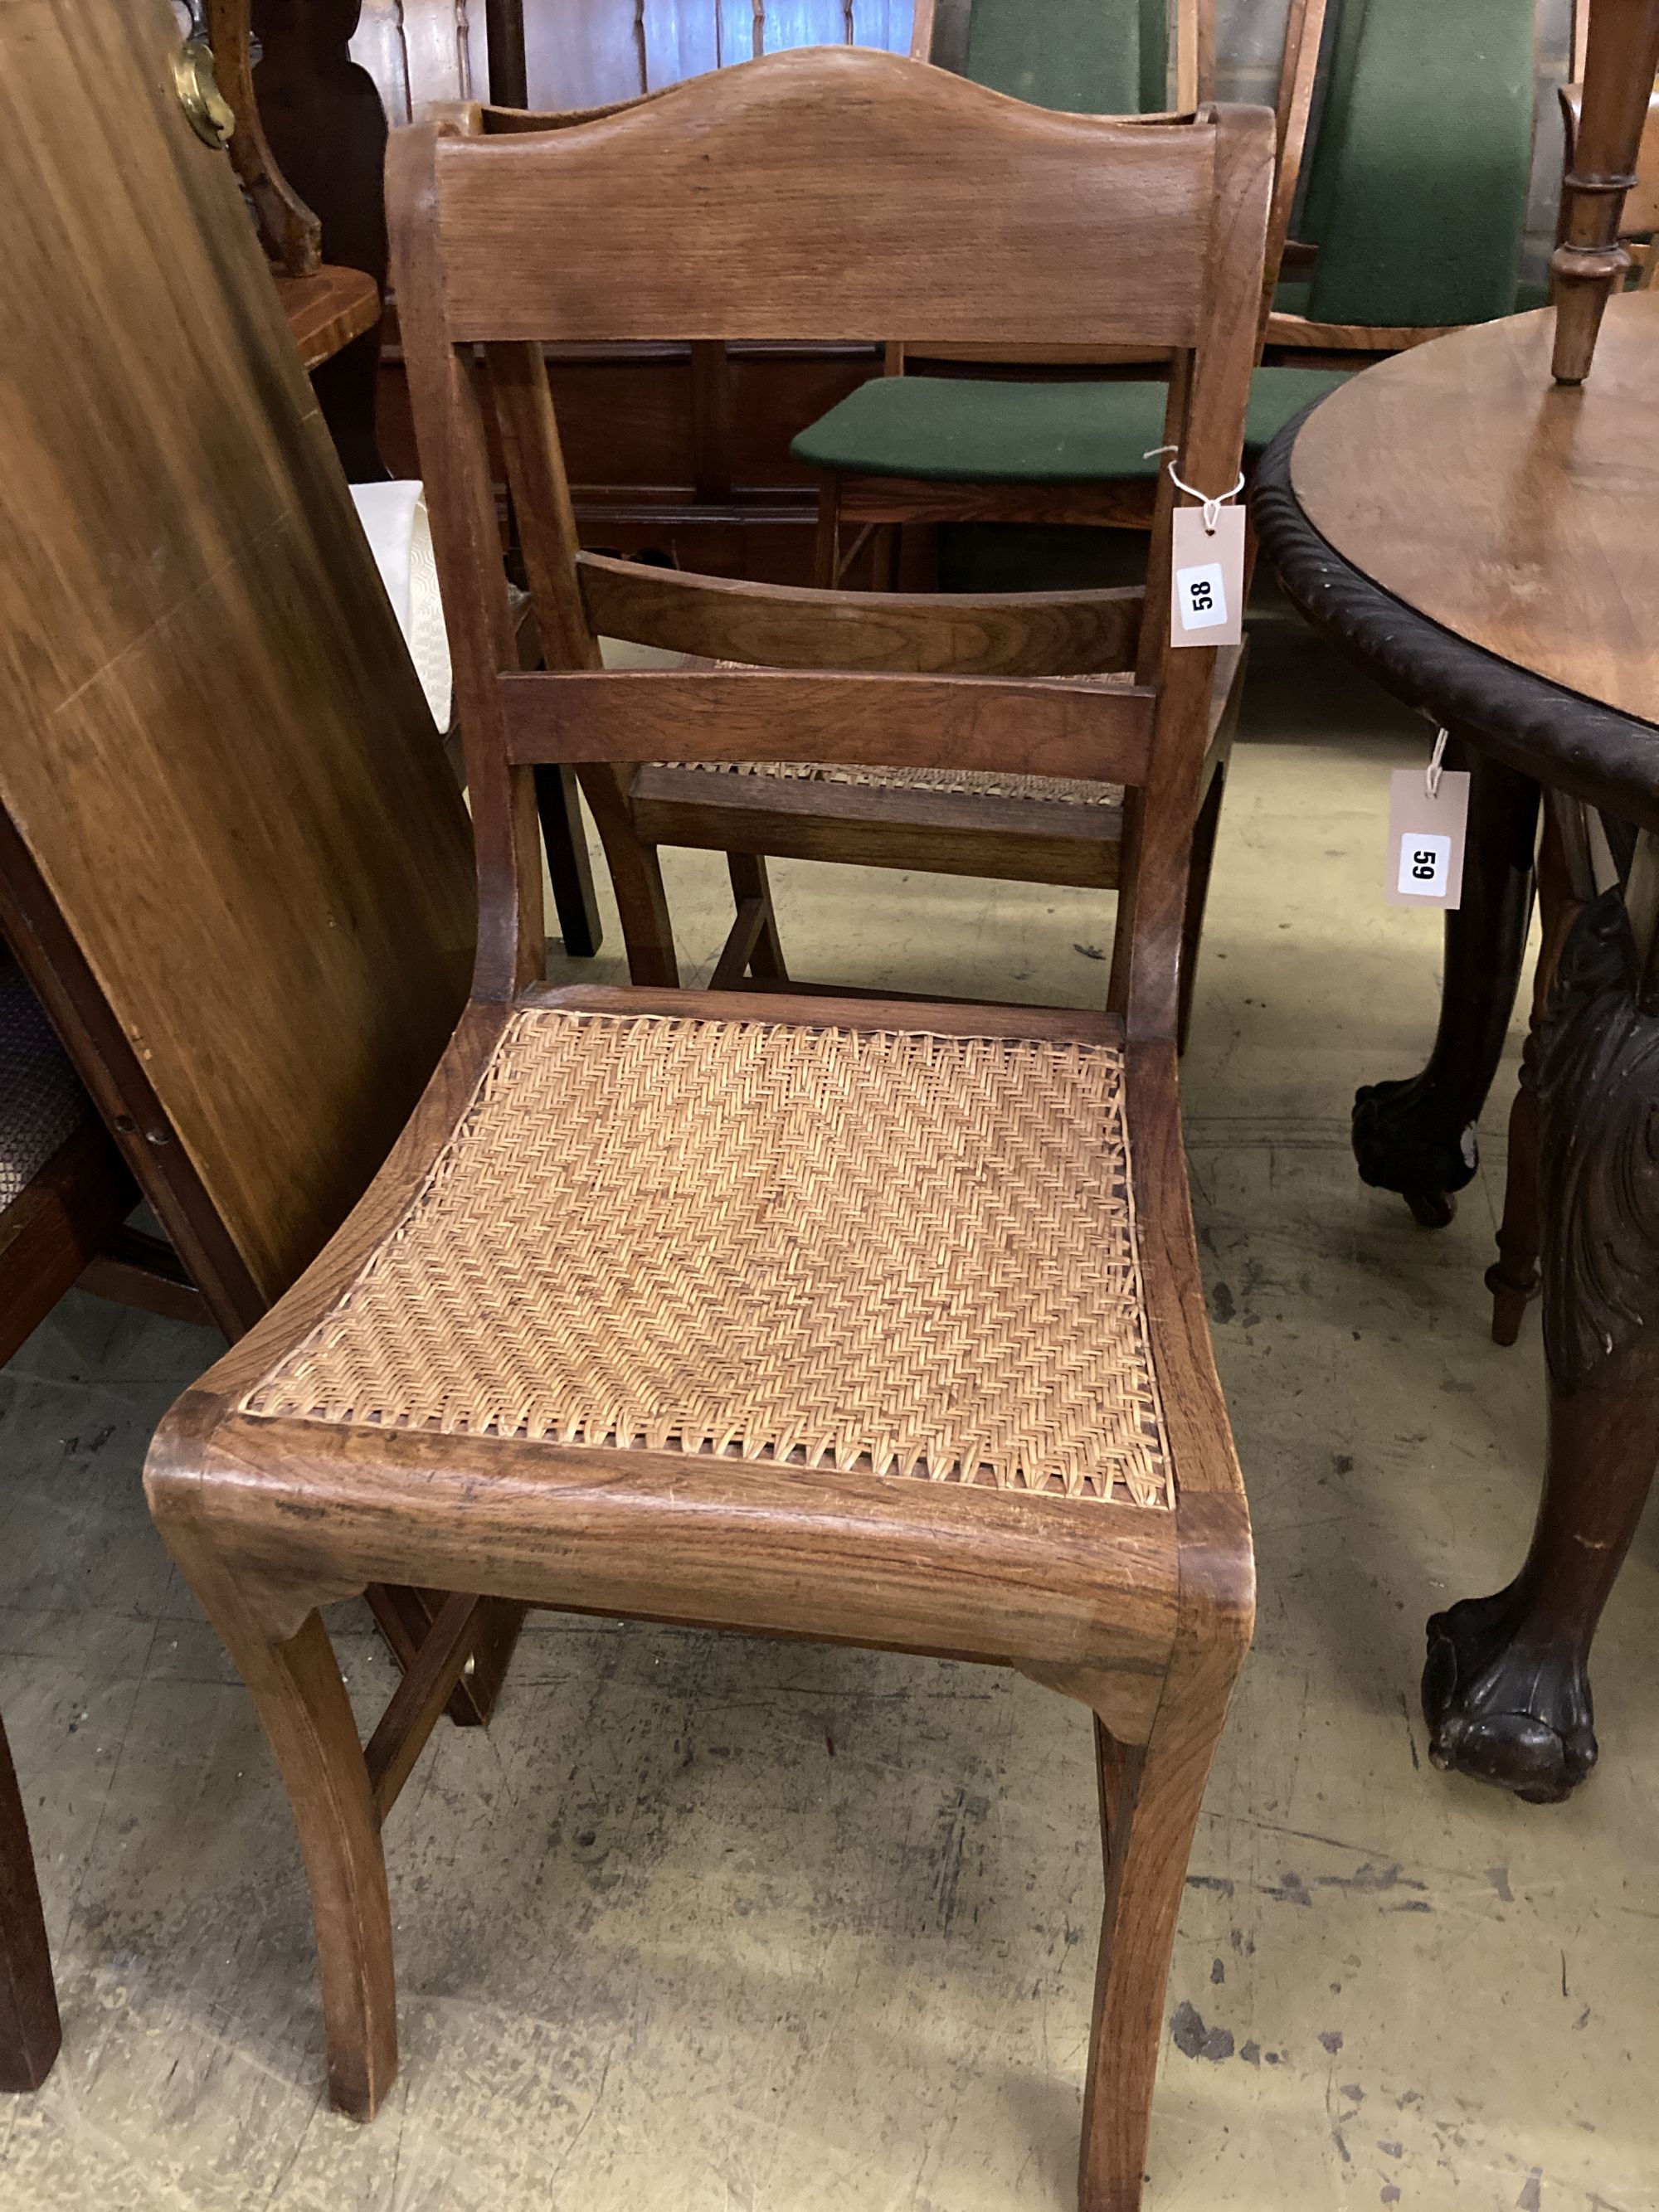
[[888, 1251]]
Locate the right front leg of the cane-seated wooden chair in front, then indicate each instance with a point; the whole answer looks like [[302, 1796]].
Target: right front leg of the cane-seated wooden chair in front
[[1151, 1799]]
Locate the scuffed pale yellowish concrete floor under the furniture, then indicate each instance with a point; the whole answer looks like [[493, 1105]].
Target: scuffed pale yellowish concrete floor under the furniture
[[711, 1926]]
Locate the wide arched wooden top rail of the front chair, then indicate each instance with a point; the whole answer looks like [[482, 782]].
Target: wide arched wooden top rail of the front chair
[[910, 147]]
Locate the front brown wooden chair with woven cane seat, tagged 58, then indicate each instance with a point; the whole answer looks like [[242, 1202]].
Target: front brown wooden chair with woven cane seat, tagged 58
[[753, 1337]]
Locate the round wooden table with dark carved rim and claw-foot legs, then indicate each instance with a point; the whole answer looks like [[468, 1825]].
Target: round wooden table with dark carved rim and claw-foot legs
[[1483, 541]]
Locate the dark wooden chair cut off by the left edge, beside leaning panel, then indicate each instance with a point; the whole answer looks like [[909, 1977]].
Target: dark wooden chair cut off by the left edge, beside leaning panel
[[63, 1196]]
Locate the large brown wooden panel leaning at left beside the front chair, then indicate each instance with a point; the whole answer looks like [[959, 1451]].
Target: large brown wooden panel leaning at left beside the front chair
[[213, 744]]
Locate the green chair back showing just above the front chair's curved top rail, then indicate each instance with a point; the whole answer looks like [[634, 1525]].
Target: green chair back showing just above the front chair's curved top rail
[[1078, 56]]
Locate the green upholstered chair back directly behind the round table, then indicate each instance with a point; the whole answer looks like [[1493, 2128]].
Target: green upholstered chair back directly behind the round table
[[1417, 189]]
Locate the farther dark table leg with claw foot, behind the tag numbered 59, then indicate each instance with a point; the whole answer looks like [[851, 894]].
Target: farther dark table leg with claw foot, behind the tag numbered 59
[[1419, 1136]]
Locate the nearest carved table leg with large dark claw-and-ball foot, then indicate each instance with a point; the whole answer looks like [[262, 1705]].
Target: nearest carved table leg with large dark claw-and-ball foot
[[1507, 1689]]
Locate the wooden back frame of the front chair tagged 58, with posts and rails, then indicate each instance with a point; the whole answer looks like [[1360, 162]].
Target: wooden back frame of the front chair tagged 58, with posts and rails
[[802, 198]]
